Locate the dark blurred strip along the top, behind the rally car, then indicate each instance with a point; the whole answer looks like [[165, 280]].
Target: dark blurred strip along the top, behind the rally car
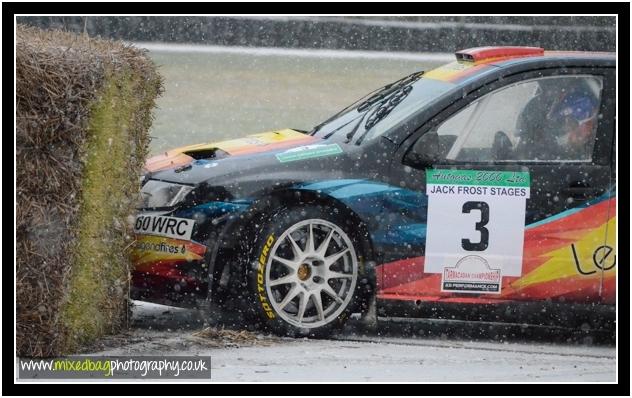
[[429, 33]]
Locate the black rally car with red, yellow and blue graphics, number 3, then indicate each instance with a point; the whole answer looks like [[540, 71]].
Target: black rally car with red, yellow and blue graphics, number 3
[[480, 188]]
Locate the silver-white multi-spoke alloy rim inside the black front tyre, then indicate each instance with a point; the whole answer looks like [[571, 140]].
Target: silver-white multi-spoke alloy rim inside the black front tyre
[[311, 273]]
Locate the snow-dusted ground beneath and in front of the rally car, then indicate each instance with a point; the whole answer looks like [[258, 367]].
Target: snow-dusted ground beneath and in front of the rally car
[[160, 330]]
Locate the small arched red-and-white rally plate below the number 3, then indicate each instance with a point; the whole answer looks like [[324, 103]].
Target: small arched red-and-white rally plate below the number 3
[[471, 274]]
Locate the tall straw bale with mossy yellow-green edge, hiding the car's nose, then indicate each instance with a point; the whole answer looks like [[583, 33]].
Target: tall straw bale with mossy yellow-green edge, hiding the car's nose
[[82, 120]]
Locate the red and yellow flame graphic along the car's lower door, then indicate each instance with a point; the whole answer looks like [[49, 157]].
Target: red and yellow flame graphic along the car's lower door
[[571, 258]]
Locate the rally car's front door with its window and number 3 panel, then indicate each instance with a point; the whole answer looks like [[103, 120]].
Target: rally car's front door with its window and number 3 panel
[[544, 244]]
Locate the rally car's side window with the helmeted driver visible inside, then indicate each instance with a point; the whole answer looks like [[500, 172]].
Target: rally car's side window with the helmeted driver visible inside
[[545, 119]]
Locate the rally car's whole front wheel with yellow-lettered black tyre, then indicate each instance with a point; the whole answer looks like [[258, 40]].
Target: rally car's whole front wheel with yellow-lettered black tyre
[[304, 283]]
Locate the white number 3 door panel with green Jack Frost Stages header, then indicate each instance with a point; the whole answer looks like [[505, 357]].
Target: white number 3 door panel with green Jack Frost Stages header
[[486, 214]]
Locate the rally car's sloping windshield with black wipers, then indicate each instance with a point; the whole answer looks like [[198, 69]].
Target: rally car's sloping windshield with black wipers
[[359, 121]]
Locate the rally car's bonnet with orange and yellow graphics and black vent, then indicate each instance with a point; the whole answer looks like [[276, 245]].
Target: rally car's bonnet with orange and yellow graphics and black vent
[[270, 160]]
